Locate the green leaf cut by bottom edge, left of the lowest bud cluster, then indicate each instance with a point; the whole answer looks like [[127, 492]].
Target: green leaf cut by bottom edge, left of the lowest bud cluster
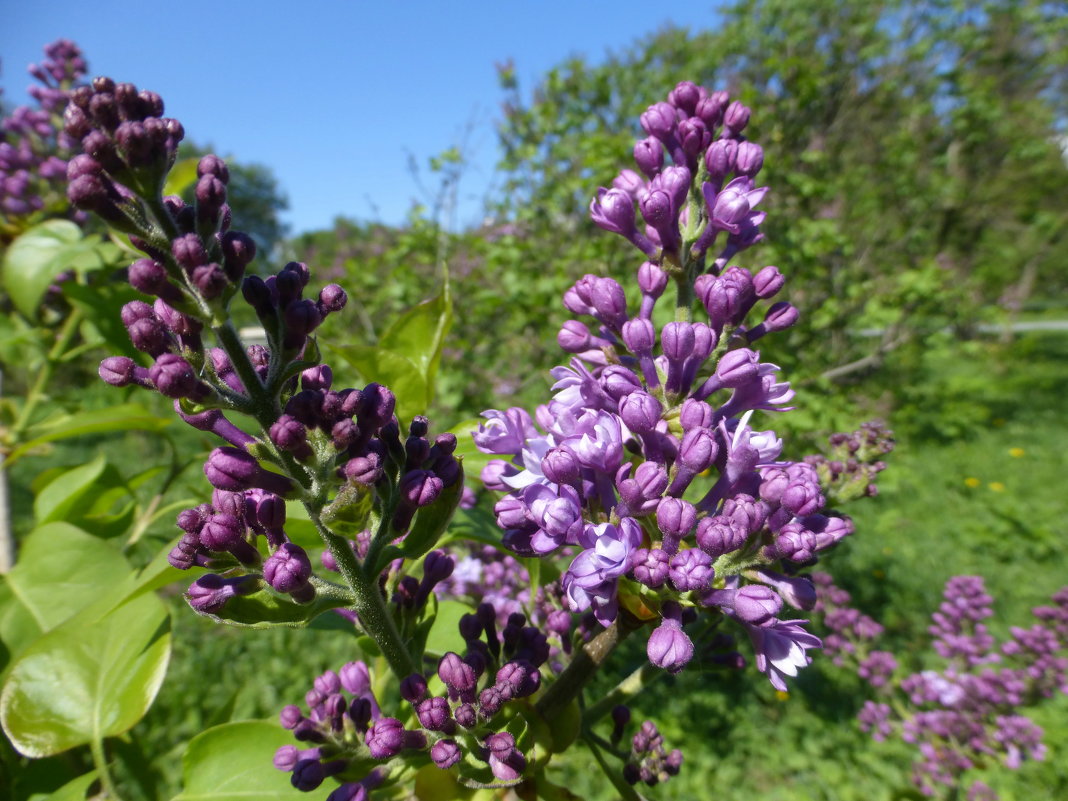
[[233, 763]]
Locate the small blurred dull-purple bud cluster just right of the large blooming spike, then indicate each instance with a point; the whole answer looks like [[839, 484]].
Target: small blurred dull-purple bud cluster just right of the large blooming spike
[[850, 470]]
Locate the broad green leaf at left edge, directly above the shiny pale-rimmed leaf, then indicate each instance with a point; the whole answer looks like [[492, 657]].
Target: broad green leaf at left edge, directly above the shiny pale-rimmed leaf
[[61, 571]]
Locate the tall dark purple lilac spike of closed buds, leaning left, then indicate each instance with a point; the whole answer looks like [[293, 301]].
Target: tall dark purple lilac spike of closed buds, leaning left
[[332, 446]]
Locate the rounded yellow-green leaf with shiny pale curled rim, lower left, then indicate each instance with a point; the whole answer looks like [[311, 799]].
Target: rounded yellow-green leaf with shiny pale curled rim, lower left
[[80, 684]]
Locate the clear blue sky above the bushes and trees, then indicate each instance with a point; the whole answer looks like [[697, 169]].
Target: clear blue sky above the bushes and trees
[[335, 97]]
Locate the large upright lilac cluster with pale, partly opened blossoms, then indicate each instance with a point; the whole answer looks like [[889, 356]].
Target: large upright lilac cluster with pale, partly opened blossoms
[[615, 465]]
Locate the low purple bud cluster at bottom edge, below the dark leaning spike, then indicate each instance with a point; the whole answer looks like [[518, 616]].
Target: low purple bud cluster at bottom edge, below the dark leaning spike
[[451, 714]]
